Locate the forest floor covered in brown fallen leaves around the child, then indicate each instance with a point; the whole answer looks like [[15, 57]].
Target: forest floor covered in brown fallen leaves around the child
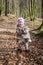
[[8, 44]]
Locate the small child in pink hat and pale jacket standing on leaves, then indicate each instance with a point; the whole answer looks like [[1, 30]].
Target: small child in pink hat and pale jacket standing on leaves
[[22, 33]]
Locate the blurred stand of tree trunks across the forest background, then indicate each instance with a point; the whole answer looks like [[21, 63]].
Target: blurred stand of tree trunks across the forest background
[[25, 8]]
